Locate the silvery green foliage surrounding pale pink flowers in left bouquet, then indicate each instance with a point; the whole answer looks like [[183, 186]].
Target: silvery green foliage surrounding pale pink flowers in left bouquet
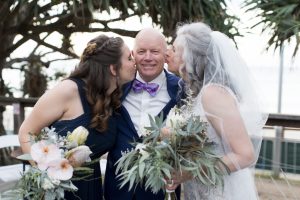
[[37, 184]]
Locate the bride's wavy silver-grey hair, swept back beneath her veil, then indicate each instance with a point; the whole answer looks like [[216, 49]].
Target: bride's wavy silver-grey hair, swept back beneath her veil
[[195, 40]]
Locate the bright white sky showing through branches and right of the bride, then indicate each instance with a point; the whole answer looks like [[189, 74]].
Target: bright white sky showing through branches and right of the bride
[[263, 65]]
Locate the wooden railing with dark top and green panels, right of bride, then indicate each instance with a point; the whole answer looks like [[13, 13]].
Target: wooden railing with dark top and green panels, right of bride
[[283, 150]]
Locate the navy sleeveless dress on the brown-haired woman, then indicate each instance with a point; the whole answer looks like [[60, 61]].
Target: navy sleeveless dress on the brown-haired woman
[[99, 143]]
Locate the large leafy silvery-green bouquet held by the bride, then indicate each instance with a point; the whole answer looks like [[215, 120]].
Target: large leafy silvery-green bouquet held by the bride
[[176, 145]]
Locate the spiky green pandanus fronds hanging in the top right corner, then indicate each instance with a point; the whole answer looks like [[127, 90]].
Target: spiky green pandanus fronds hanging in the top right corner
[[282, 18]]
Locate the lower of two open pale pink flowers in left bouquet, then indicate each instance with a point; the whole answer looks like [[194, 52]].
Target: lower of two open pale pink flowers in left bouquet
[[60, 169]]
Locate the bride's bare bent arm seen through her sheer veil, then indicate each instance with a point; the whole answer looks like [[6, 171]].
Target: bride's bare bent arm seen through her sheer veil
[[223, 114]]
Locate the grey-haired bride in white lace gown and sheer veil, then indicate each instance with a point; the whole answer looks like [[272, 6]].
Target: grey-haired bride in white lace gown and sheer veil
[[224, 96]]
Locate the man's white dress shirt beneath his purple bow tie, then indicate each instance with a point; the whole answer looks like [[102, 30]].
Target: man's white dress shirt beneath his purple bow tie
[[140, 105]]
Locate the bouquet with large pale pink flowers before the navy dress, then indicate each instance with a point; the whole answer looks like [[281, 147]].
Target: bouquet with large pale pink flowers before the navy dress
[[58, 160]]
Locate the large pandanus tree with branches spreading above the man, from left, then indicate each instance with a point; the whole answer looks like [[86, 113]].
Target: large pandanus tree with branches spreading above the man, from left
[[34, 21]]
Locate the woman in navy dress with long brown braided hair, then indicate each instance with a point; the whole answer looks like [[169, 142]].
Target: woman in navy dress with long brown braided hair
[[88, 98]]
